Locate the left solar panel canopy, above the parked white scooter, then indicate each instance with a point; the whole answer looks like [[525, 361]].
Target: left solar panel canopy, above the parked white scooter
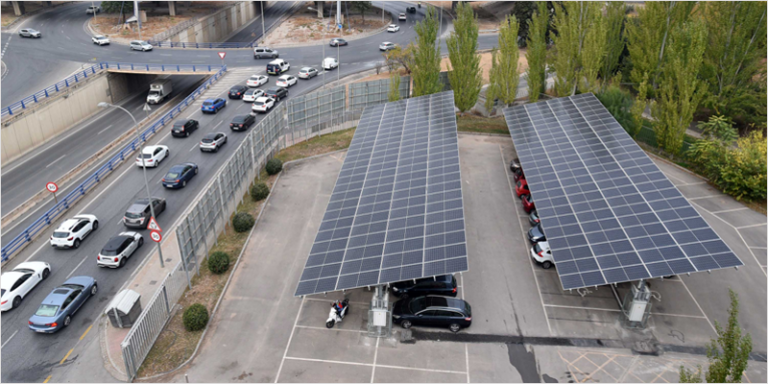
[[396, 212]]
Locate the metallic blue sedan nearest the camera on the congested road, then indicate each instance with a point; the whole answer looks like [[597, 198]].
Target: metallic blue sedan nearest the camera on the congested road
[[58, 308]]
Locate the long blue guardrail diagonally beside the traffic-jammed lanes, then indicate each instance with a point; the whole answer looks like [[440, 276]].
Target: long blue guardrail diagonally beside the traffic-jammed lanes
[[47, 218]]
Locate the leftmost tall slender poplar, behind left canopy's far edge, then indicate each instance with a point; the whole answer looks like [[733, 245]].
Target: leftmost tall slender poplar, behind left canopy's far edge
[[426, 56]]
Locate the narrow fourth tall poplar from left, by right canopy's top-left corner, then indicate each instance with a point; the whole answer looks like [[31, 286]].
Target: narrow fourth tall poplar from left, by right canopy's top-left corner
[[536, 74]]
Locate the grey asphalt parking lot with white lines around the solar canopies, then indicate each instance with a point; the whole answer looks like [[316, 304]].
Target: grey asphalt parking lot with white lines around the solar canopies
[[264, 334]]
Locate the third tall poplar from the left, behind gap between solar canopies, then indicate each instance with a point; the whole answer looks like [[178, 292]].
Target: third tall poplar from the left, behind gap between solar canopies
[[504, 76]]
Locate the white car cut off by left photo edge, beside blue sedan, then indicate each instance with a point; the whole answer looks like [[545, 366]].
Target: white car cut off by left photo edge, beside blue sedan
[[16, 284]]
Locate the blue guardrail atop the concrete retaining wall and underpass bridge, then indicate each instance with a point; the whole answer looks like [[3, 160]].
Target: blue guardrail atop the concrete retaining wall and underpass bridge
[[93, 70]]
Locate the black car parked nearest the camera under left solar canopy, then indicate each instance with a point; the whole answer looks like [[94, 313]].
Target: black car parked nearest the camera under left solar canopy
[[436, 311]]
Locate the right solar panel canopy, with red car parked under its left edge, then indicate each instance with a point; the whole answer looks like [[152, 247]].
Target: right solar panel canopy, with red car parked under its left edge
[[609, 214]]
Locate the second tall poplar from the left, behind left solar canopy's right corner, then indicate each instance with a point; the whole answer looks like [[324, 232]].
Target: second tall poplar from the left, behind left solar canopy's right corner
[[465, 75]]
